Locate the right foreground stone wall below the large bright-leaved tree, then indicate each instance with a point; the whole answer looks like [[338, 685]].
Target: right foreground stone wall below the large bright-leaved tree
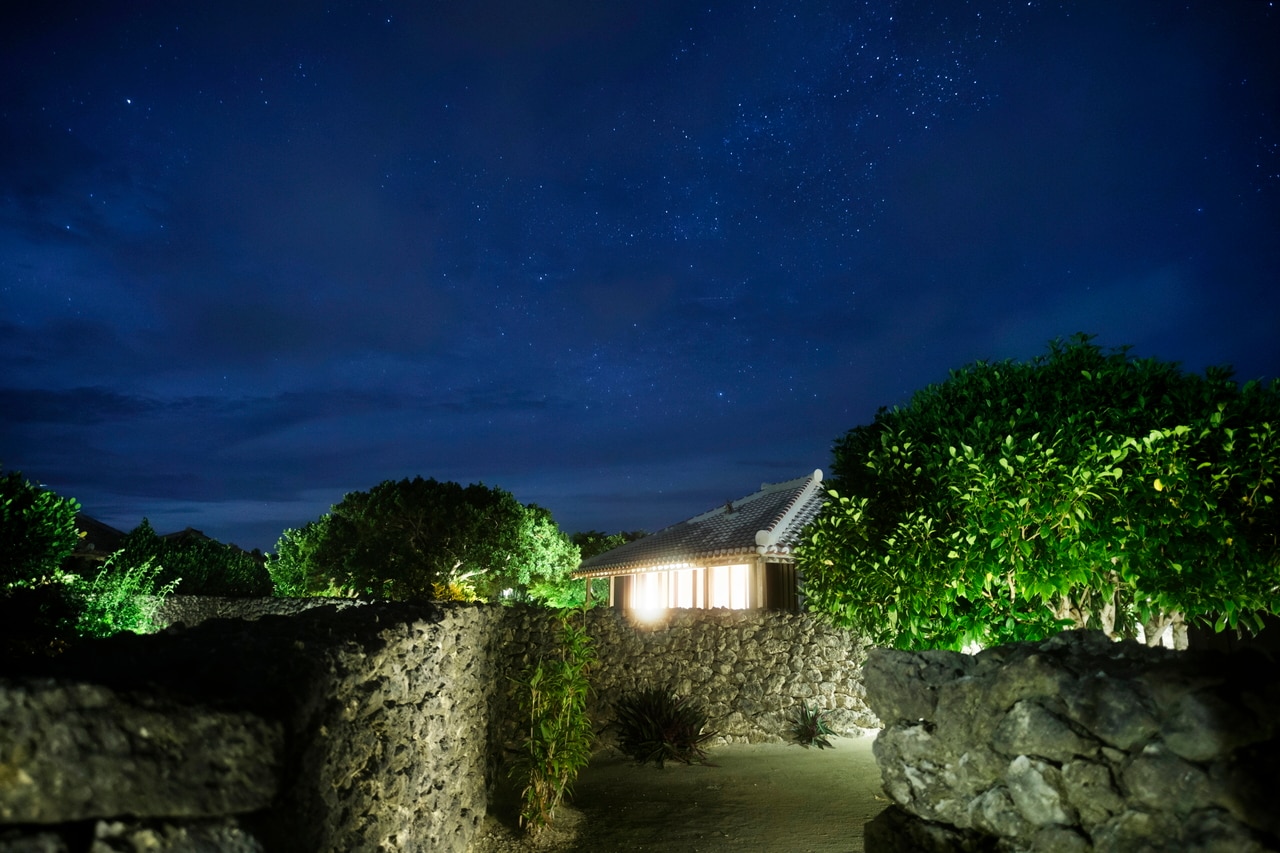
[[1080, 745]]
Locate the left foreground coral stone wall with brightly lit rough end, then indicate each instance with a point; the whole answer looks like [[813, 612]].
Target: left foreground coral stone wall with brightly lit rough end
[[358, 731]]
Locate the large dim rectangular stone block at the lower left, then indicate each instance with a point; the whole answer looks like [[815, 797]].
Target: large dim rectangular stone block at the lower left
[[79, 751]]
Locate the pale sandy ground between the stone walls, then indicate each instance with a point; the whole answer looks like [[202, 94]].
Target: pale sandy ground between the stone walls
[[752, 797]]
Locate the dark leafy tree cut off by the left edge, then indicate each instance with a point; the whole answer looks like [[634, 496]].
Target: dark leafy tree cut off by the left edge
[[38, 531]]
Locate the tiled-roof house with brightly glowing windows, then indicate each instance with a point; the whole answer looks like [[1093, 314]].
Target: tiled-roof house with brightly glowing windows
[[735, 556]]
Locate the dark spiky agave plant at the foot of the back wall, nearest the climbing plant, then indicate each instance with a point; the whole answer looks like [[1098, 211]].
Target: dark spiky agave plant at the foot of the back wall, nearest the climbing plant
[[660, 726]]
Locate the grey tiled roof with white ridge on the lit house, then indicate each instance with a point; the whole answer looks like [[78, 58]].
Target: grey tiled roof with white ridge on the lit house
[[766, 523]]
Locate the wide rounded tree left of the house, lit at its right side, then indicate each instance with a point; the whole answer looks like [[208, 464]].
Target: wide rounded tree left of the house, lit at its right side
[[420, 540]]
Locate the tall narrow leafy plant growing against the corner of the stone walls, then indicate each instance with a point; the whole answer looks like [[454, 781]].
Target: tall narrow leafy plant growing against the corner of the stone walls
[[559, 743]]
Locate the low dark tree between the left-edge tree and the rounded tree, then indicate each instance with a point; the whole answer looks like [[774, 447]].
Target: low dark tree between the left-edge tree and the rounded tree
[[193, 564]]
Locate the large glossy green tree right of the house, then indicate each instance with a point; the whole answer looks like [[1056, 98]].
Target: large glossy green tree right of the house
[[1081, 489]]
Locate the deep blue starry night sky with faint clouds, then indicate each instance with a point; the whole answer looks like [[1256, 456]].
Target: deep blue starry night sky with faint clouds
[[627, 261]]
